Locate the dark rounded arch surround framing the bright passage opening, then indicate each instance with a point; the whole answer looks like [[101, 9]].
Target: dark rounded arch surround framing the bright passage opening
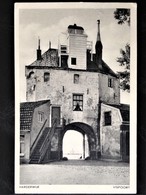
[[84, 129]]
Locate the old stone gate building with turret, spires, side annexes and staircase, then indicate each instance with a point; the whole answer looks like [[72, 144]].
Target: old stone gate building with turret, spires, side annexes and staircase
[[78, 85]]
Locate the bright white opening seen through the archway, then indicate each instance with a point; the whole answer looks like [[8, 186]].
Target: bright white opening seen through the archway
[[75, 145]]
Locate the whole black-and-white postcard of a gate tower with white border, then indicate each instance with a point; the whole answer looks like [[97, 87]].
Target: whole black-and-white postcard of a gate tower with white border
[[75, 98]]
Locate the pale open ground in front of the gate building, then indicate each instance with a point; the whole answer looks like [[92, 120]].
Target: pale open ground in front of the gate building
[[76, 172]]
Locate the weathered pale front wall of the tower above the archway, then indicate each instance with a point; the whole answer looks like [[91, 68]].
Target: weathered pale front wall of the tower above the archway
[[60, 89]]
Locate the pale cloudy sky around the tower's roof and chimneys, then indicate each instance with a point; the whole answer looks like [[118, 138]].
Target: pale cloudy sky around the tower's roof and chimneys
[[49, 23]]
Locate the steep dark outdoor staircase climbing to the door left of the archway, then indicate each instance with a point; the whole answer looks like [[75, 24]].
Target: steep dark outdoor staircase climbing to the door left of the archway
[[35, 156]]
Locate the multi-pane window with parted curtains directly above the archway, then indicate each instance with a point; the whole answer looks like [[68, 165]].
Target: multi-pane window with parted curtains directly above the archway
[[77, 102]]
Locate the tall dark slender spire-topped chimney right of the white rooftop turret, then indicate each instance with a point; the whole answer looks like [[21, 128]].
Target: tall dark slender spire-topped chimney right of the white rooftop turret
[[98, 47]]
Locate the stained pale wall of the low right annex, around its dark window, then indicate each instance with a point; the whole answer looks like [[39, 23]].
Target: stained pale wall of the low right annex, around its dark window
[[110, 134]]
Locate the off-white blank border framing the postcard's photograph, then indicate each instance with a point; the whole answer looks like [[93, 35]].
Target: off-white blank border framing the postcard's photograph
[[133, 110]]
